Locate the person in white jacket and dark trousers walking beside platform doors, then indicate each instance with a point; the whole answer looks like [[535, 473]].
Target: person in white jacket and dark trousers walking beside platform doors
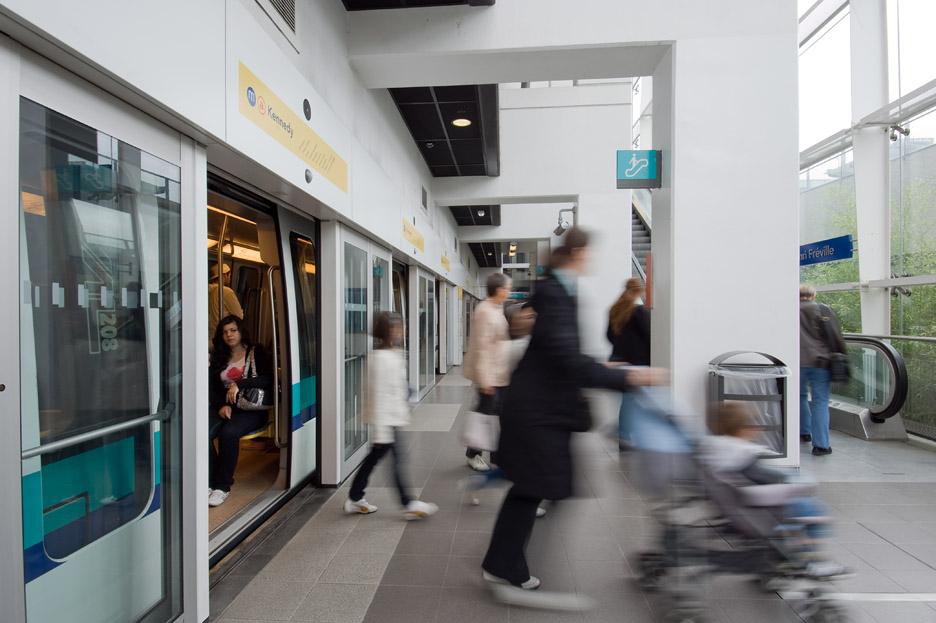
[[386, 408]]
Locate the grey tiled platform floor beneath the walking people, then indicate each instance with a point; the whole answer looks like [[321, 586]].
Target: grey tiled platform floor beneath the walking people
[[331, 567]]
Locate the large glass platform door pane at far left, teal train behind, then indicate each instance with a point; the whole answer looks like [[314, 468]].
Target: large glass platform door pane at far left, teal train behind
[[101, 340]]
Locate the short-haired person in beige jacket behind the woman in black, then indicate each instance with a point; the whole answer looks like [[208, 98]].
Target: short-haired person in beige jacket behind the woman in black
[[486, 361]]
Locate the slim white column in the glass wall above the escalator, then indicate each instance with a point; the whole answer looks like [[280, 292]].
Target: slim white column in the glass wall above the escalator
[[871, 151]]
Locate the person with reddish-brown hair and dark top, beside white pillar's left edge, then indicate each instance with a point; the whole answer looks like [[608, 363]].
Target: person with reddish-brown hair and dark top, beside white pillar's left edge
[[629, 334]]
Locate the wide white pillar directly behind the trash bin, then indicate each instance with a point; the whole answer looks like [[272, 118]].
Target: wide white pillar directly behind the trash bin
[[725, 222]]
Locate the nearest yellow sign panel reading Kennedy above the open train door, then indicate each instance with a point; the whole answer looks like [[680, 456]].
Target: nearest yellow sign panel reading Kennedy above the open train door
[[270, 114]]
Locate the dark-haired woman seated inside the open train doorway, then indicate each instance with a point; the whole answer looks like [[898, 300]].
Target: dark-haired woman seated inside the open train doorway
[[236, 364]]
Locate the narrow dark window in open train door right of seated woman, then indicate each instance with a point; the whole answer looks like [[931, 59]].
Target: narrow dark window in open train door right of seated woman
[[304, 266]]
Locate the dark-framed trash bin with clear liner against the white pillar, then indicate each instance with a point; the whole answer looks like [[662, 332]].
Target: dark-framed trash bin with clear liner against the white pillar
[[761, 384]]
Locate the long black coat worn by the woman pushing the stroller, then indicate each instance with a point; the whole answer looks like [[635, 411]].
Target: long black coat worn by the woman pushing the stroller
[[541, 407]]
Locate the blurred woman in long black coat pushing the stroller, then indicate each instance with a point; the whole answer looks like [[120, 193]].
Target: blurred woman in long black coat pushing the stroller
[[542, 409]]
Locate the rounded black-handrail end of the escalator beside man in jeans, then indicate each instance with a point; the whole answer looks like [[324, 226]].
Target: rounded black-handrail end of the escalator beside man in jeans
[[868, 405]]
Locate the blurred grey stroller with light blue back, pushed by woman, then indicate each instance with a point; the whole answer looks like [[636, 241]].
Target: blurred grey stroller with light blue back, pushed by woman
[[753, 537]]
